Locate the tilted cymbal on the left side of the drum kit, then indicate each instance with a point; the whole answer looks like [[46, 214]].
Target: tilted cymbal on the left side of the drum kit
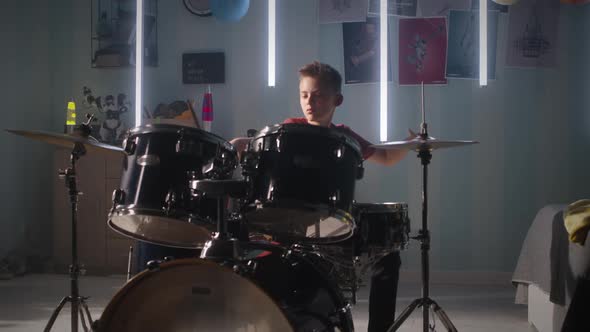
[[67, 141]]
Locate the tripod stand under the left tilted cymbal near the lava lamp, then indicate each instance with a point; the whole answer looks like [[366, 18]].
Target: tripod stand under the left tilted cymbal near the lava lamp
[[78, 302]]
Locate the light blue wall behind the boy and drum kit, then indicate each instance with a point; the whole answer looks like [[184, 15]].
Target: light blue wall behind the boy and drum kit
[[482, 198]]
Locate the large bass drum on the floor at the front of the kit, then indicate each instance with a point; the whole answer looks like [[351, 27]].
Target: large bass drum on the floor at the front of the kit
[[275, 292]]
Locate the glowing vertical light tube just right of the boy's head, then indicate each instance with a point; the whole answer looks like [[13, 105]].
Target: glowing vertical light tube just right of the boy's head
[[383, 35]]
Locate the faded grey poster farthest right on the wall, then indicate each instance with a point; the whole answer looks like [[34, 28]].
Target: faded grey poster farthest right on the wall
[[532, 34]]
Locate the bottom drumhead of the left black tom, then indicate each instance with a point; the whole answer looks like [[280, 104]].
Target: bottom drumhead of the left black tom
[[153, 227]]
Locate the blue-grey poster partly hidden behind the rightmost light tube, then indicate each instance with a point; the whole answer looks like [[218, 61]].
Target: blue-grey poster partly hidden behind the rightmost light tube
[[463, 47]]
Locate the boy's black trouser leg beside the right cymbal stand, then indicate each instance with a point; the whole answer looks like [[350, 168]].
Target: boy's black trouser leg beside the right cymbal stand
[[383, 292]]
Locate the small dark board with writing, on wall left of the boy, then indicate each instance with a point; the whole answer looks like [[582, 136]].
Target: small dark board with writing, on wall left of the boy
[[203, 68]]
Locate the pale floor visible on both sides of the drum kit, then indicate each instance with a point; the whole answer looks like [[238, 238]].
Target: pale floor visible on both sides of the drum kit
[[26, 303]]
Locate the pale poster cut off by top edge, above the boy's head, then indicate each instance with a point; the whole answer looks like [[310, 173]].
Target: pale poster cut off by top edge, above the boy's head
[[338, 11]]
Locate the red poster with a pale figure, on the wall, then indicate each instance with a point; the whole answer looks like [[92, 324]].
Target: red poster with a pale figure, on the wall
[[422, 50]]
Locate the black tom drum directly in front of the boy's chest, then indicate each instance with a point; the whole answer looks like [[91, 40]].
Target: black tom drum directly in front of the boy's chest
[[302, 181]]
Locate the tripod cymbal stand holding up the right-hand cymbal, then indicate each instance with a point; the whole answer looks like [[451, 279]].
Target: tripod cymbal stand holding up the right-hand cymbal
[[425, 301]]
